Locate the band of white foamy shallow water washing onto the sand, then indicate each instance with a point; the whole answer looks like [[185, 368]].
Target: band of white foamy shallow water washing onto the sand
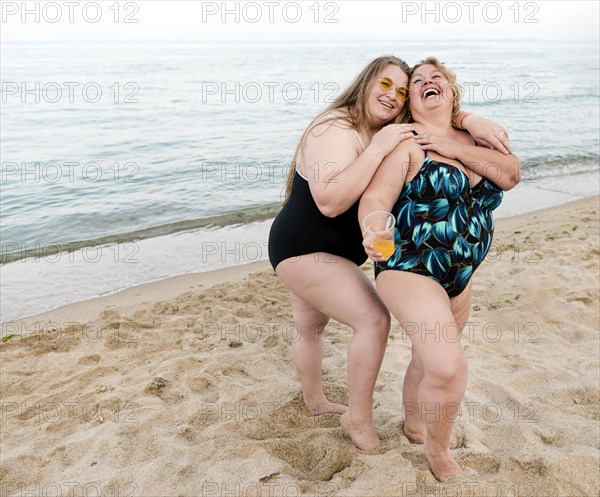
[[38, 285]]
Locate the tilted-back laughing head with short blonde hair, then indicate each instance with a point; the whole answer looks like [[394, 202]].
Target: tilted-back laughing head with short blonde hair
[[433, 86]]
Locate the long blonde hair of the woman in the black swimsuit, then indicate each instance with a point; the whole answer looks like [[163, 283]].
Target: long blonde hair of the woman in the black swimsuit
[[353, 103]]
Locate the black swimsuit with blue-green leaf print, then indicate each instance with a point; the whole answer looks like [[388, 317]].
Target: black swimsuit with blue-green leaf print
[[445, 226]]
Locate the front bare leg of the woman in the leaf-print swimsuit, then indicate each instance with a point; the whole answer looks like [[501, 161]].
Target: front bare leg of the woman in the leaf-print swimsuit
[[424, 310]]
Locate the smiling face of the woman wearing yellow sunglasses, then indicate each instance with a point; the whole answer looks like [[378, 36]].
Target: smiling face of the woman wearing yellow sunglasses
[[382, 105]]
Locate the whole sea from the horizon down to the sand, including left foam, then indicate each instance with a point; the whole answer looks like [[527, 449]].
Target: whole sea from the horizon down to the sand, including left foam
[[127, 163]]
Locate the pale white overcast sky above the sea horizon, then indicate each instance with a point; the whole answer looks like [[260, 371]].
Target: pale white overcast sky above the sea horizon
[[277, 20]]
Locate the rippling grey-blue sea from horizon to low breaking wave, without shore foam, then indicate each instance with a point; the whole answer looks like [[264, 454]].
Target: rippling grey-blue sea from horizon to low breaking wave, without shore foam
[[181, 155]]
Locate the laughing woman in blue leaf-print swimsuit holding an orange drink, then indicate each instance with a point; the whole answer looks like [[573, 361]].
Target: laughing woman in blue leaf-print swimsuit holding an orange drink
[[442, 190]]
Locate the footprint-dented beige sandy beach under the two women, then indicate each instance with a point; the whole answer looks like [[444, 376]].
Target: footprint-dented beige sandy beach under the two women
[[185, 387]]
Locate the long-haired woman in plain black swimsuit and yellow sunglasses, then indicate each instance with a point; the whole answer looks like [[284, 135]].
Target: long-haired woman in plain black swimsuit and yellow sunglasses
[[315, 245]]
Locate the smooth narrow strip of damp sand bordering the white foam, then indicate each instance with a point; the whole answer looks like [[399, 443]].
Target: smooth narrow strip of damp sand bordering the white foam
[[131, 299]]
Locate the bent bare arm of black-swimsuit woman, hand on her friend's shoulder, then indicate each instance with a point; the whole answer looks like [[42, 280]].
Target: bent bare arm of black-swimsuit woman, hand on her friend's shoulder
[[336, 173]]
